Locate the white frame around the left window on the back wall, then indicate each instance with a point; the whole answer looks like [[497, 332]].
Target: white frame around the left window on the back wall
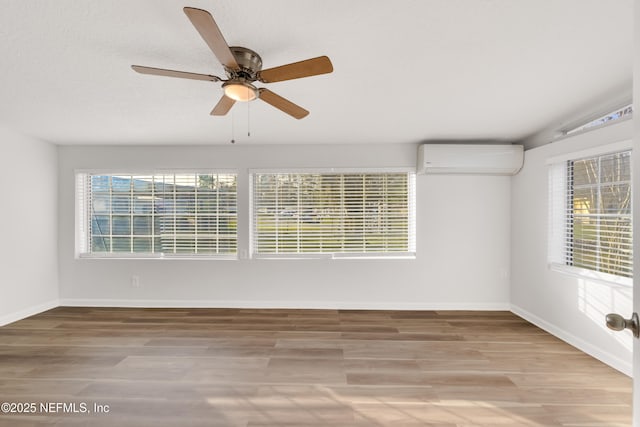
[[83, 217]]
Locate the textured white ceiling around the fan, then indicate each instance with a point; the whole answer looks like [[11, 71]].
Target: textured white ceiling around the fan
[[405, 71]]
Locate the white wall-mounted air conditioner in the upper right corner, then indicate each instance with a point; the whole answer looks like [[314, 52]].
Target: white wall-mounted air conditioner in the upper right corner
[[482, 159]]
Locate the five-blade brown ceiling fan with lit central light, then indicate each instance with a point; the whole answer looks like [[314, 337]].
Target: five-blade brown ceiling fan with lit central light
[[243, 67]]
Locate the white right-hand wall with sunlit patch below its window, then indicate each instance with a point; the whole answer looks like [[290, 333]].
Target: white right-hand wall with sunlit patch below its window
[[569, 307]]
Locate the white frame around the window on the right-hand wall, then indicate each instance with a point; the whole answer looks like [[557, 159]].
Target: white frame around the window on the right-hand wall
[[559, 202]]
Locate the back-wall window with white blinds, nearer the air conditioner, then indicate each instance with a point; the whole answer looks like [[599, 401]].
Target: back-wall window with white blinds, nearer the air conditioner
[[339, 214]]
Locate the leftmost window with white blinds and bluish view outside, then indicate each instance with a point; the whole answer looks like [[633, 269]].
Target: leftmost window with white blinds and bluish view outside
[[157, 215]]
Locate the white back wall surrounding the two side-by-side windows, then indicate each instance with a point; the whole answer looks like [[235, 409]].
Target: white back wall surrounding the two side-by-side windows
[[463, 228]]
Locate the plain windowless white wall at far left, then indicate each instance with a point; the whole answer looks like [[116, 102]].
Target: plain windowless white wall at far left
[[28, 225]]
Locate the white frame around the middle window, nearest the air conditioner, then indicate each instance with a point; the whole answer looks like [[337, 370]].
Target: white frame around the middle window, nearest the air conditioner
[[412, 201]]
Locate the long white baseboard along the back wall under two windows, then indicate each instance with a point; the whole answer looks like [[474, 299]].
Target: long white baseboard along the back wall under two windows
[[330, 305]]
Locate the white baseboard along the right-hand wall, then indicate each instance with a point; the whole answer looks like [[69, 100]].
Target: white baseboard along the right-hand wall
[[592, 350]]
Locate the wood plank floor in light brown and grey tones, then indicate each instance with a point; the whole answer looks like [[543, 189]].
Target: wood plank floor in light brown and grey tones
[[249, 368]]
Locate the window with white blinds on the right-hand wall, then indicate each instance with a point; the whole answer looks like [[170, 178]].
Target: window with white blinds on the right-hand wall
[[591, 213]]
